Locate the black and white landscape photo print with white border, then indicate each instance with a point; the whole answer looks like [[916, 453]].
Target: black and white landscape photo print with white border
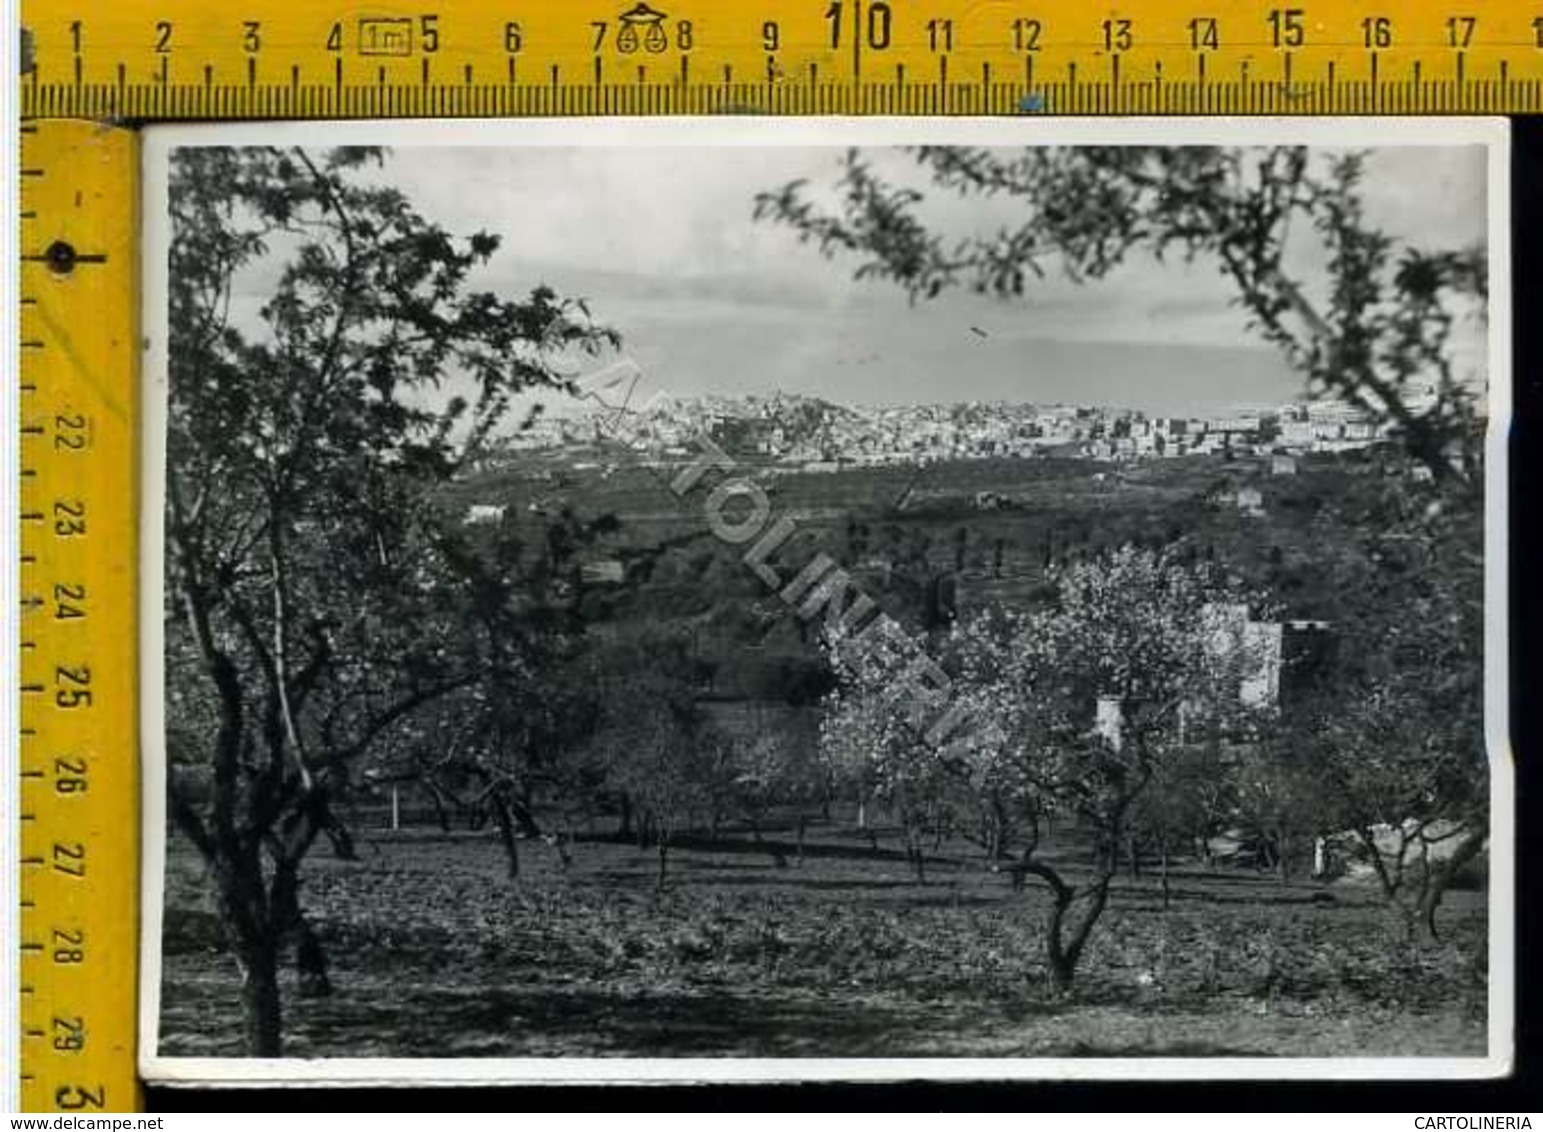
[[783, 601]]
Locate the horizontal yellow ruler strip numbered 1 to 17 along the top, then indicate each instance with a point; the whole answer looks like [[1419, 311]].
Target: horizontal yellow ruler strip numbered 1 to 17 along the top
[[187, 59]]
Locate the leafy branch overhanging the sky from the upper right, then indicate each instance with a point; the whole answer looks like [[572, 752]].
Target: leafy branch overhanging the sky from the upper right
[[1376, 335]]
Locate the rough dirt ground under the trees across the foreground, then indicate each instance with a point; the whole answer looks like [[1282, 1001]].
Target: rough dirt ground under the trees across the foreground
[[436, 954]]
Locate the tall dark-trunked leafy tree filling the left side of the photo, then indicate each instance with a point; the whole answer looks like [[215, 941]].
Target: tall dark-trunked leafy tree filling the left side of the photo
[[309, 585]]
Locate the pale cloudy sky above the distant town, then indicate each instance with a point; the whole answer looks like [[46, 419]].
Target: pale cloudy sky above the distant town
[[663, 246]]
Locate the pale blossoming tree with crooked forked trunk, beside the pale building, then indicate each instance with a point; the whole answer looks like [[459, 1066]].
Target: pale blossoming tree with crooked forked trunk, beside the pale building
[[1089, 699]]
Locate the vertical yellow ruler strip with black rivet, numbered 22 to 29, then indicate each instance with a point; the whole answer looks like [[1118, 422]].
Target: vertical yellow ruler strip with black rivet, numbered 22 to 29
[[79, 653]]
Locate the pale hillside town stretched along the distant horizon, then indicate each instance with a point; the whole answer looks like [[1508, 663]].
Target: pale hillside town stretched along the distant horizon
[[809, 434]]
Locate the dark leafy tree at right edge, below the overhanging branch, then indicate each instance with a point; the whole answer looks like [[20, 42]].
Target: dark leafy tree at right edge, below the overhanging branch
[[1400, 730]]
